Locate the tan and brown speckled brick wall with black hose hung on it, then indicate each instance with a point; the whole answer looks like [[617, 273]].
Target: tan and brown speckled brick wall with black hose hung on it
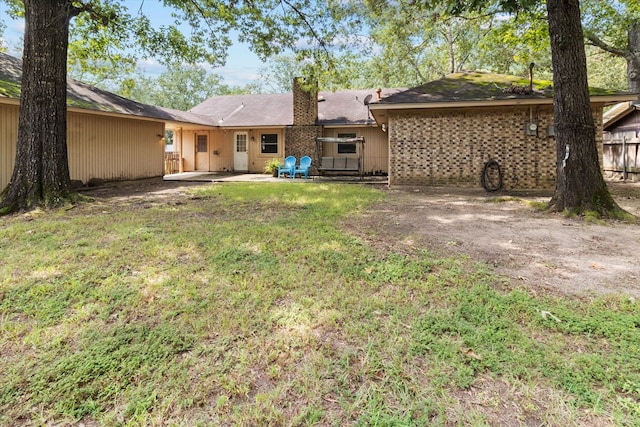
[[450, 147]]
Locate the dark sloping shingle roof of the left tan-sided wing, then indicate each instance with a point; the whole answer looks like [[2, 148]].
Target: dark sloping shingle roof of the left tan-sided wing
[[84, 96]]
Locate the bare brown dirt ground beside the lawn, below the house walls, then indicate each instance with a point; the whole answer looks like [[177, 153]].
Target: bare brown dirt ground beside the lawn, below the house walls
[[545, 251]]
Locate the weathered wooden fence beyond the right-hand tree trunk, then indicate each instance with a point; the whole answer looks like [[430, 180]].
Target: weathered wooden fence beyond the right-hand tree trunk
[[621, 156]]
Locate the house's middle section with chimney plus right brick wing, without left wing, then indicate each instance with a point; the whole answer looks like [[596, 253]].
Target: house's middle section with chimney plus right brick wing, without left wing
[[444, 132]]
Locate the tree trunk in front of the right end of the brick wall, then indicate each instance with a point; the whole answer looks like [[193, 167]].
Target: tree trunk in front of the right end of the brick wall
[[580, 186]]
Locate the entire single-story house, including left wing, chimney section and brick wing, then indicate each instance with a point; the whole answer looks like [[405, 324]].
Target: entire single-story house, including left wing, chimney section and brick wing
[[444, 132]]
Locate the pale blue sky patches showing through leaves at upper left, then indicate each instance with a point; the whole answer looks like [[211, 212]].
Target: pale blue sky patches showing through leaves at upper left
[[242, 65]]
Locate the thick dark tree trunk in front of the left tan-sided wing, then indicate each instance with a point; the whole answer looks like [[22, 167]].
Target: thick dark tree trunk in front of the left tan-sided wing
[[41, 172]]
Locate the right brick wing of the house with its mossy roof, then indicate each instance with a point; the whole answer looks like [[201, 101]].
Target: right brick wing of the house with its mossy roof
[[447, 130]]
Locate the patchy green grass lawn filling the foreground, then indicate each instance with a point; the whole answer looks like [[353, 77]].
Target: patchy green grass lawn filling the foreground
[[251, 304]]
